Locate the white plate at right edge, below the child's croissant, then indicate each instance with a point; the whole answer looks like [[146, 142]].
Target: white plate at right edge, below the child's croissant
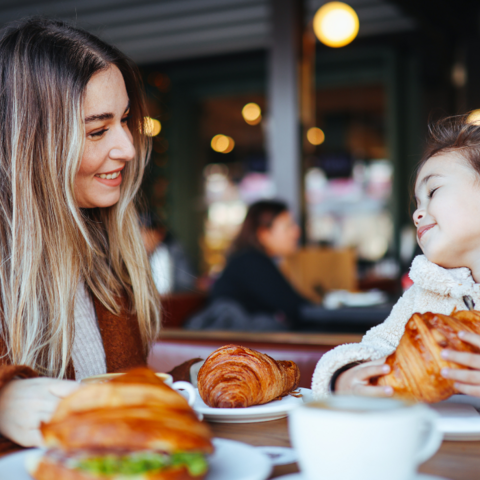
[[459, 417]]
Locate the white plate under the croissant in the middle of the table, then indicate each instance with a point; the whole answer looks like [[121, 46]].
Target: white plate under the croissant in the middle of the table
[[258, 413]]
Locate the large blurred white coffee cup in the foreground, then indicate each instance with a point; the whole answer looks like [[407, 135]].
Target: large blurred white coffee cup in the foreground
[[361, 438]]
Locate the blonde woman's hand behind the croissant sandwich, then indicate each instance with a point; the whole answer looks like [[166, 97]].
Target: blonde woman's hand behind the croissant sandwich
[[26, 403]]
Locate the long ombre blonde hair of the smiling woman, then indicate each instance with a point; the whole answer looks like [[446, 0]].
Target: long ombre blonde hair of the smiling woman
[[47, 242]]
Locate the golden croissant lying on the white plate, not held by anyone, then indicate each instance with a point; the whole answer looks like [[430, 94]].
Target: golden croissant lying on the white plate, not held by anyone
[[238, 377]]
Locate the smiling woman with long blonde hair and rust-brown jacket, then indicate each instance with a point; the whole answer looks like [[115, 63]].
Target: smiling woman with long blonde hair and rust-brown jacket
[[77, 298]]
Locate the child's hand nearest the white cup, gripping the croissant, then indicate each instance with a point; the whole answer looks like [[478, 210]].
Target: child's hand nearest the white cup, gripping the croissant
[[356, 380]]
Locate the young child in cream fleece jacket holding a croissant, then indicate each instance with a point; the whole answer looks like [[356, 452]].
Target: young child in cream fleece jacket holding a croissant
[[447, 192]]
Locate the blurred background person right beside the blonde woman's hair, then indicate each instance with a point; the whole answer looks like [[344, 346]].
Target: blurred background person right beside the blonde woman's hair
[[171, 269]]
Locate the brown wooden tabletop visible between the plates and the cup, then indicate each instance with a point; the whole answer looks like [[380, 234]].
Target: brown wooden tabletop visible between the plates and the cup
[[454, 460]]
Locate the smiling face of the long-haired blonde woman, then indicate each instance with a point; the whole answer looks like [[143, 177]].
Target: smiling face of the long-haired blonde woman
[[108, 143]]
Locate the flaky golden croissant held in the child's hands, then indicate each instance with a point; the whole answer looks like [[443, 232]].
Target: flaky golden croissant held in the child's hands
[[416, 364]]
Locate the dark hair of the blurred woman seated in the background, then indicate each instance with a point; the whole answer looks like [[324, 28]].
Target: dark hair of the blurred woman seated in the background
[[260, 214]]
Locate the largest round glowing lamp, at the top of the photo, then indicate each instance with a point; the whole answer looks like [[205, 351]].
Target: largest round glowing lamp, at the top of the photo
[[336, 24]]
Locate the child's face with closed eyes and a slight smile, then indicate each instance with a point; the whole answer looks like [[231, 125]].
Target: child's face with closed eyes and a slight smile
[[447, 192]]
